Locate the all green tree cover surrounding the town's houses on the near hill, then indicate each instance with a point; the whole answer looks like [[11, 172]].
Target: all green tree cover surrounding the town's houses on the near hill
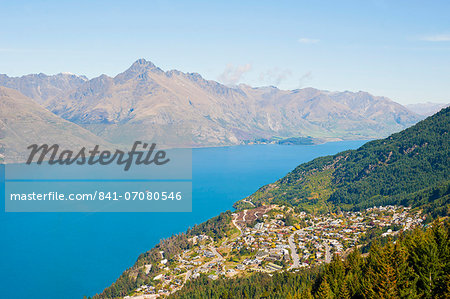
[[409, 168]]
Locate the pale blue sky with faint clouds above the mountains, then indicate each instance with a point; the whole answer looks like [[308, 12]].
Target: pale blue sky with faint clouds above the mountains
[[399, 49]]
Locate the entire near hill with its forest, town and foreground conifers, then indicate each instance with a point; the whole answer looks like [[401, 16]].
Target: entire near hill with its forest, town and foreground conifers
[[257, 250]]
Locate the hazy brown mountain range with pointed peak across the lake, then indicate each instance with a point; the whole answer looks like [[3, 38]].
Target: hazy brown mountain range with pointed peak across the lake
[[184, 109]]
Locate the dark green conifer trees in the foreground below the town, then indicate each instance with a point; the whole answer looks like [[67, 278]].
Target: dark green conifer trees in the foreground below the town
[[417, 265]]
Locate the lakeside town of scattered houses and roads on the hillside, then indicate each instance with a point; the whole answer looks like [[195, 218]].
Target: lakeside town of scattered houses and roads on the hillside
[[276, 238]]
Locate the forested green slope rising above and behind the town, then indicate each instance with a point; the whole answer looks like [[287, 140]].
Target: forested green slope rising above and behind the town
[[409, 168]]
